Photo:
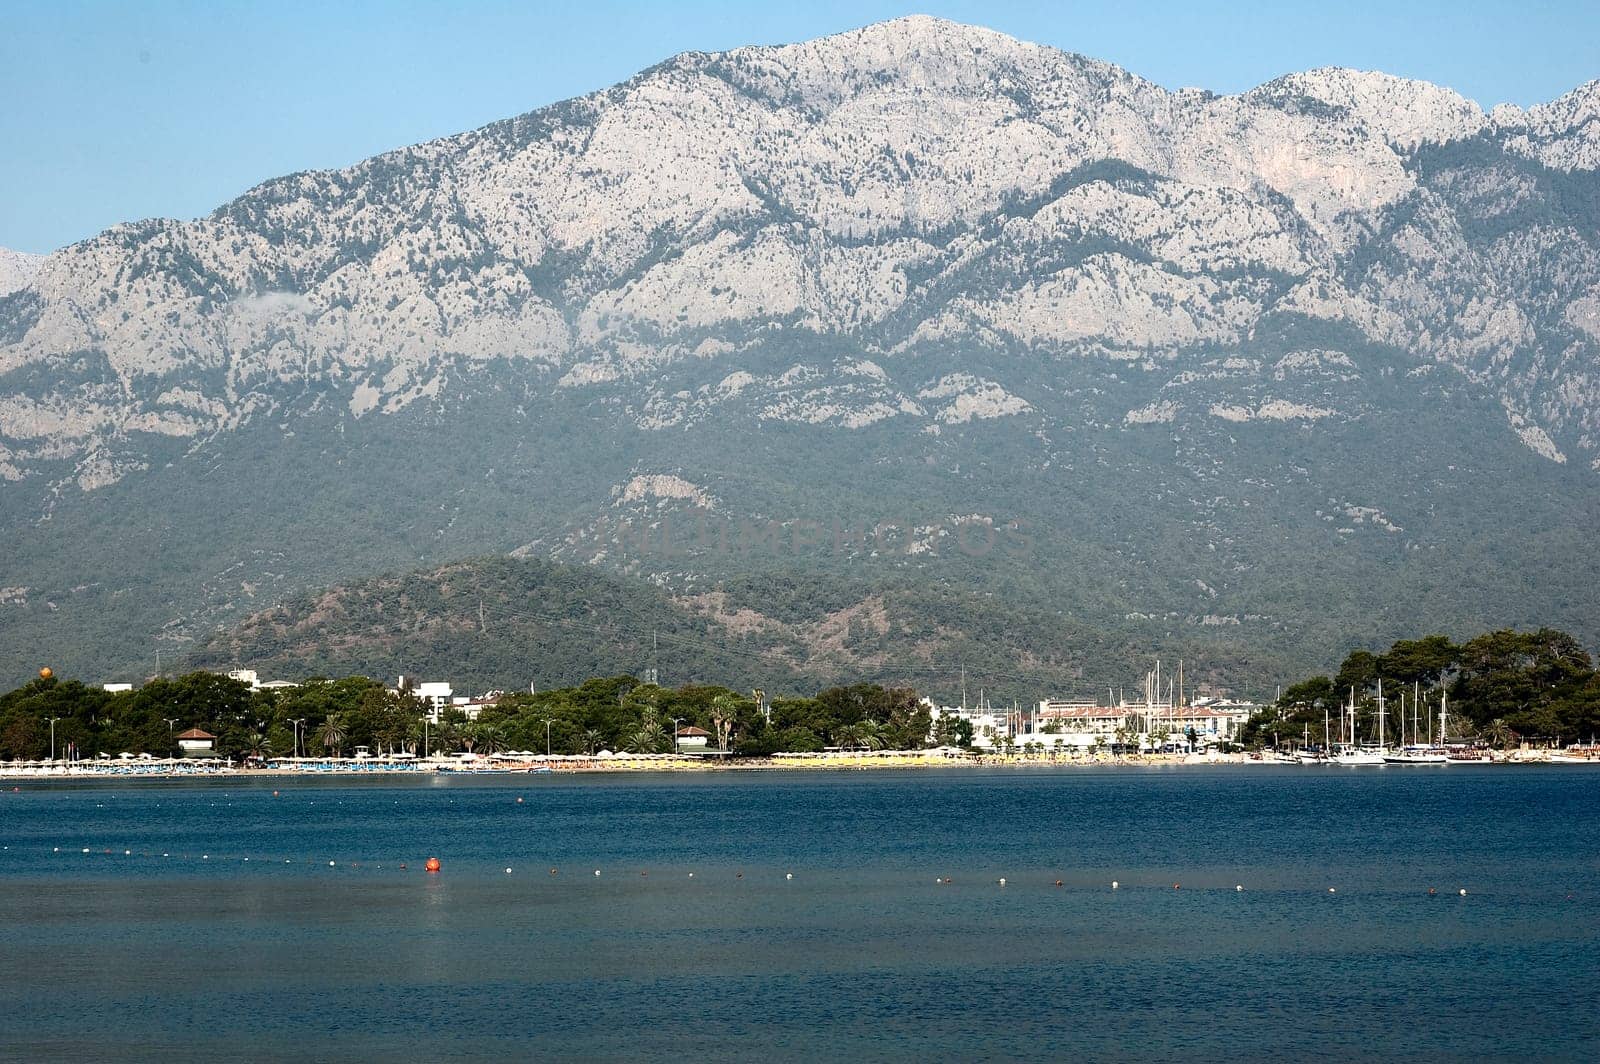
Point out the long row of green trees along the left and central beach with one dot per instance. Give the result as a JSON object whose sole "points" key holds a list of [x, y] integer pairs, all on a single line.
{"points": [[337, 716]]}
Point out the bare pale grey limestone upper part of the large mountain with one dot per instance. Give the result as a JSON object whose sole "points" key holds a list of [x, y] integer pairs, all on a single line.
{"points": [[911, 183]]}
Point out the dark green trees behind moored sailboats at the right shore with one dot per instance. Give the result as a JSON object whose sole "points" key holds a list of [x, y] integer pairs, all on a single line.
{"points": [[1503, 687]]}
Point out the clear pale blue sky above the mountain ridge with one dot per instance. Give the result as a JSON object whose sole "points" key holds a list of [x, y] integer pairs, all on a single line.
{"points": [[119, 111]]}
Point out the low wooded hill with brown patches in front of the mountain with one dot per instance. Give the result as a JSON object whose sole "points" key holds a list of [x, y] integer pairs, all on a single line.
{"points": [[494, 623]]}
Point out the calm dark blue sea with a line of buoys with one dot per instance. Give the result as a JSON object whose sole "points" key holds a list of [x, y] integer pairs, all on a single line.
{"points": [[206, 921]]}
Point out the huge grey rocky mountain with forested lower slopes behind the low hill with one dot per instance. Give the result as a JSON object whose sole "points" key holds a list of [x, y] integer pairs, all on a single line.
{"points": [[1292, 369]]}
